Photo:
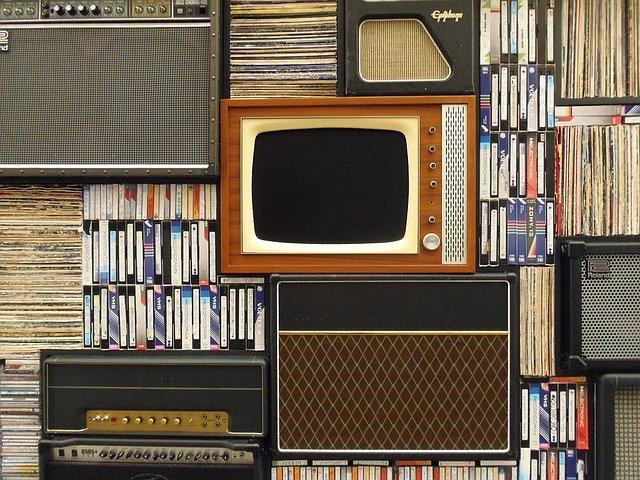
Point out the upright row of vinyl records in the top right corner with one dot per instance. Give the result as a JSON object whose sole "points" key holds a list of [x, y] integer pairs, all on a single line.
{"points": [[600, 46]]}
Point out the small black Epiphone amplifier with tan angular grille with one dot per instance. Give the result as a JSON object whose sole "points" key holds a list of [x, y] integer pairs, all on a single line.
{"points": [[410, 47]]}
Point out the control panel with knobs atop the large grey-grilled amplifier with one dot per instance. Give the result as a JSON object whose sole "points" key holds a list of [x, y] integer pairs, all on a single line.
{"points": [[91, 10]]}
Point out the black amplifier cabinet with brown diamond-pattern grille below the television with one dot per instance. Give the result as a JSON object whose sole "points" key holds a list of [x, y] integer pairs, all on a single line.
{"points": [[403, 366]]}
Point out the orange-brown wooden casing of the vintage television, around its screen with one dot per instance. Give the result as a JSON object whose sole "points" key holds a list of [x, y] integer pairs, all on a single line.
{"points": [[429, 111]]}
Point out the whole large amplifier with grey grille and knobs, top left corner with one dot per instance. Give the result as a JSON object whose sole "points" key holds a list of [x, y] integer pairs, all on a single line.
{"points": [[129, 87]]}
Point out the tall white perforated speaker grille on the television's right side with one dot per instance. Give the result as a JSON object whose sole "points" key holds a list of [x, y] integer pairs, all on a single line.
{"points": [[454, 184]]}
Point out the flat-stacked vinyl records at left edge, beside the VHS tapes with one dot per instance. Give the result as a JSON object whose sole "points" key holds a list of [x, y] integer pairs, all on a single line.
{"points": [[40, 271]]}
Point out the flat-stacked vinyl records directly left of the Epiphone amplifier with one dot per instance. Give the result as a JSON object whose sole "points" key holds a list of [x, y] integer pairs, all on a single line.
{"points": [[283, 48]]}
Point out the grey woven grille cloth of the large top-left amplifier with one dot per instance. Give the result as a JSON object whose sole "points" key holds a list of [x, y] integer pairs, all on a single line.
{"points": [[105, 96]]}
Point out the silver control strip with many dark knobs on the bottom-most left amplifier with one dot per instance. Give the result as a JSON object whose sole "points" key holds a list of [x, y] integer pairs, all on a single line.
{"points": [[151, 454]]}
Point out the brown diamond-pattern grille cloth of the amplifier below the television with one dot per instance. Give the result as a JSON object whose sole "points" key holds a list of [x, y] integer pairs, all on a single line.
{"points": [[393, 392]]}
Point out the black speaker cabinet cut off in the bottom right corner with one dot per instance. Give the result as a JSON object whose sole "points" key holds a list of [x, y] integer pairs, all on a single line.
{"points": [[618, 427]]}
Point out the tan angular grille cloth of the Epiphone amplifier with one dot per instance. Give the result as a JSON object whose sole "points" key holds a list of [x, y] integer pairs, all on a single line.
{"points": [[399, 50]]}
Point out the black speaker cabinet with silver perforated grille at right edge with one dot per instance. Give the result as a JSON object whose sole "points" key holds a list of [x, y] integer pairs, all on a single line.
{"points": [[600, 303]]}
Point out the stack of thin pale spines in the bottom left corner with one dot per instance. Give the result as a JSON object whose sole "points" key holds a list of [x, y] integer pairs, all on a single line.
{"points": [[19, 417]]}
